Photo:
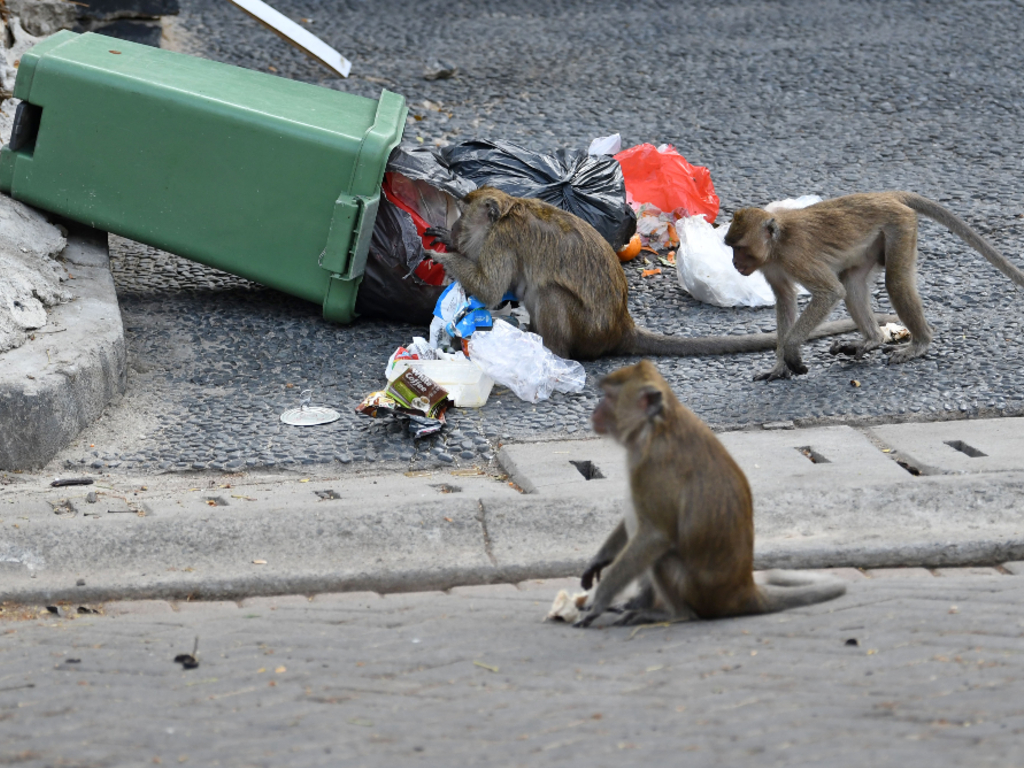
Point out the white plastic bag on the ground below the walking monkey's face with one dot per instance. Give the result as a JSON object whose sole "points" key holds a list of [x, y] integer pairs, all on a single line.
{"points": [[704, 264]]}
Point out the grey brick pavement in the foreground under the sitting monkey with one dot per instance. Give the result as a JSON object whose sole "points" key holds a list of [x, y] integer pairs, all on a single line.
{"points": [[933, 678]]}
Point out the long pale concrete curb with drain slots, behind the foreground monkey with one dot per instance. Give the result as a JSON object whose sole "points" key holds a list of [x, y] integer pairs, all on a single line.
{"points": [[163, 538]]}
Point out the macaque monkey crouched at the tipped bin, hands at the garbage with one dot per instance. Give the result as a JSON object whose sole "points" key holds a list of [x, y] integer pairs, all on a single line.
{"points": [[568, 277]]}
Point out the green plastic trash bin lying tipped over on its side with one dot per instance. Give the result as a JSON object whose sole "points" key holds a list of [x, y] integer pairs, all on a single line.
{"points": [[265, 178]]}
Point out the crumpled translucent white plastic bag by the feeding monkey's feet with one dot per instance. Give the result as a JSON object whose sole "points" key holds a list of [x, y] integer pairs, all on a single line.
{"points": [[521, 362]]}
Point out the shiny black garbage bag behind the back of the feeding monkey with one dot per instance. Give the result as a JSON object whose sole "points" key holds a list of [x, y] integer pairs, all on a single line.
{"points": [[590, 187]]}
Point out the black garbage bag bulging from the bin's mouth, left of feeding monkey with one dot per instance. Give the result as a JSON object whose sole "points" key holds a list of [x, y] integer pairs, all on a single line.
{"points": [[390, 289]]}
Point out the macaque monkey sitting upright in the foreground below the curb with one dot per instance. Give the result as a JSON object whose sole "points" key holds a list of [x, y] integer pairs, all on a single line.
{"points": [[690, 535]]}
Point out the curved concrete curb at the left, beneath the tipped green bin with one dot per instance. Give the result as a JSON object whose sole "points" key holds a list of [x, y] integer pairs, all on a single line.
{"points": [[54, 387]]}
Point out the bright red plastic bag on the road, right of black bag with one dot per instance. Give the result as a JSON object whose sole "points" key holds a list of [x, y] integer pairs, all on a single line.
{"points": [[667, 181]]}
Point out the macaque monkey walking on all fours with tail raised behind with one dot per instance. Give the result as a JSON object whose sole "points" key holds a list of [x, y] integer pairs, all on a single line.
{"points": [[833, 249]]}
